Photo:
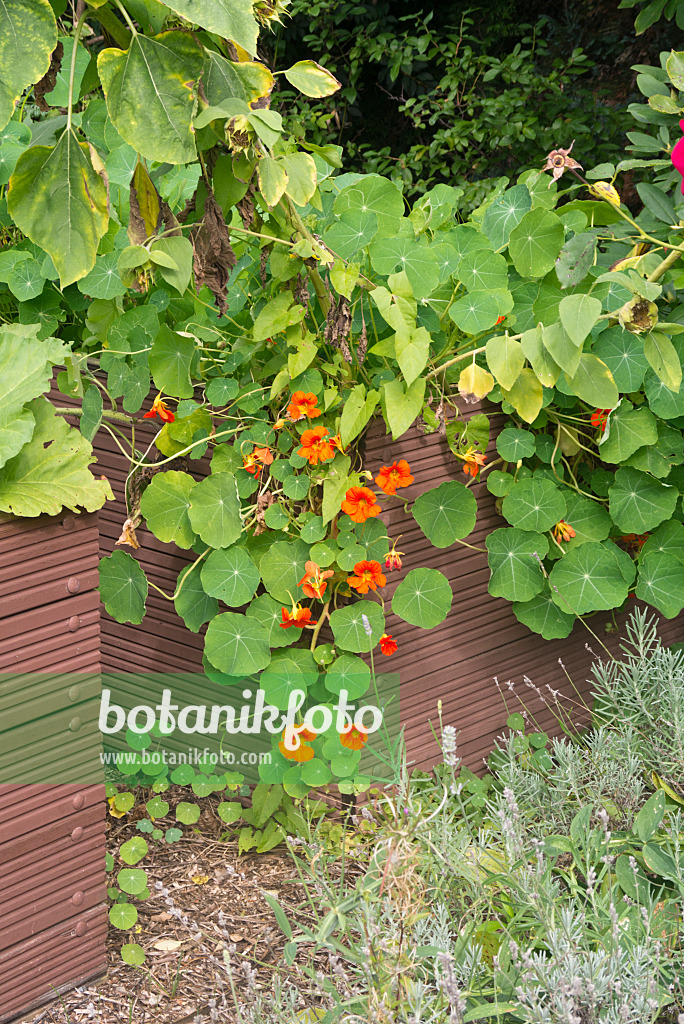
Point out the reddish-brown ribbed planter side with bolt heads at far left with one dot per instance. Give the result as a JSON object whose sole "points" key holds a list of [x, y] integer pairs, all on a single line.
{"points": [[53, 910]]}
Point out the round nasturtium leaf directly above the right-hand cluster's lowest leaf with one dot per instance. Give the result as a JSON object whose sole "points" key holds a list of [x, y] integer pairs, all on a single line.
{"points": [[515, 562]]}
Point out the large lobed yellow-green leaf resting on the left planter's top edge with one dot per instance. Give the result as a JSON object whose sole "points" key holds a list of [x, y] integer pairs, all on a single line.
{"points": [[51, 472]]}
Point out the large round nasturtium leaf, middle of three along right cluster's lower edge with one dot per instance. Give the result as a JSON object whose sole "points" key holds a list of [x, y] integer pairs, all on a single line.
{"points": [[588, 579]]}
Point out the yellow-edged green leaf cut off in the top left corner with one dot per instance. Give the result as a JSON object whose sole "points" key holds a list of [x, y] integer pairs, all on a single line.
{"points": [[28, 36]]}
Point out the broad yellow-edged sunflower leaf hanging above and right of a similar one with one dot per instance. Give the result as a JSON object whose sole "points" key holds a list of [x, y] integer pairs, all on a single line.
{"points": [[151, 91]]}
